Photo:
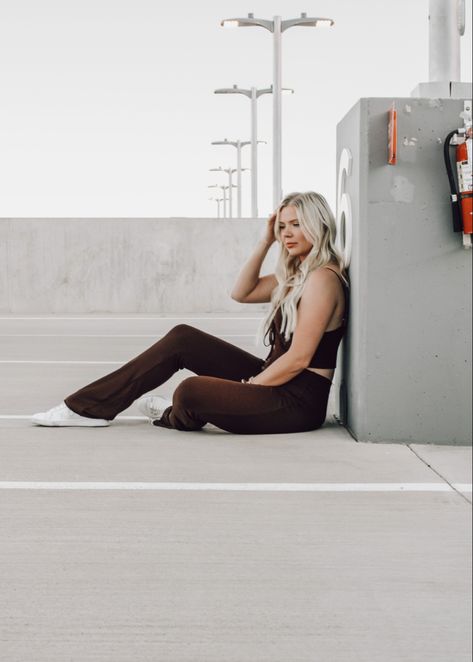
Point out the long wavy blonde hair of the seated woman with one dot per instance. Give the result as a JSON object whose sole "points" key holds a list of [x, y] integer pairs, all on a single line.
{"points": [[318, 226]]}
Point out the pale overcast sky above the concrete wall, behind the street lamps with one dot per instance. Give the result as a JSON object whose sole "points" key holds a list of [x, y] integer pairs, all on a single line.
{"points": [[107, 106]]}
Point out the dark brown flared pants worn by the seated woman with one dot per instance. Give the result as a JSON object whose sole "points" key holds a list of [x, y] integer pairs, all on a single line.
{"points": [[216, 395]]}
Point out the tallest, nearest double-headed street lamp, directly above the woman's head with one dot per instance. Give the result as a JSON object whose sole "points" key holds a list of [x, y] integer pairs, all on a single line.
{"points": [[277, 26]]}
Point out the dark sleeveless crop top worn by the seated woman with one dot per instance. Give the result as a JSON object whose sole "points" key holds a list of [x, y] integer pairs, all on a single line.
{"points": [[326, 353]]}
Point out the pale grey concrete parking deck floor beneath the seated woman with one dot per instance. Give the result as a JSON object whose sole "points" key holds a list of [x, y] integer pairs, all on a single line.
{"points": [[231, 556]]}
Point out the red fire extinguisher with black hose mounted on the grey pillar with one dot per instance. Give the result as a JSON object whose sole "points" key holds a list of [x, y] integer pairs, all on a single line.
{"points": [[461, 184]]}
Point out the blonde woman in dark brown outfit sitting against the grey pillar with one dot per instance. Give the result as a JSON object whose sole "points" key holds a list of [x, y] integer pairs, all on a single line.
{"points": [[233, 389]]}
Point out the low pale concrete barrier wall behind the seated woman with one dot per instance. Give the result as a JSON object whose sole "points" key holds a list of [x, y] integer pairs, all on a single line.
{"points": [[159, 265]]}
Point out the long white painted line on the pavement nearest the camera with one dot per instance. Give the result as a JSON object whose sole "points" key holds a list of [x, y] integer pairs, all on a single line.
{"points": [[238, 487]]}
